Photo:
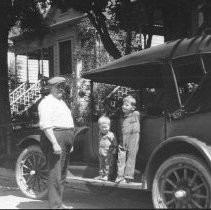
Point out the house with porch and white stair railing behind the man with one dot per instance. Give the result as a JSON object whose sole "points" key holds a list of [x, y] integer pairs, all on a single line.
{"points": [[38, 58]]}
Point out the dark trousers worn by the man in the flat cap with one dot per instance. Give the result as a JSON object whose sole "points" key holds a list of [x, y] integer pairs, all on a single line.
{"points": [[57, 165]]}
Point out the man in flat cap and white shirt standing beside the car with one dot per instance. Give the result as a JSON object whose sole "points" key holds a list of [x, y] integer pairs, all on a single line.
{"points": [[57, 125]]}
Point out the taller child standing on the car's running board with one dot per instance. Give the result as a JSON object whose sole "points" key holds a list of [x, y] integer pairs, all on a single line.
{"points": [[128, 131]]}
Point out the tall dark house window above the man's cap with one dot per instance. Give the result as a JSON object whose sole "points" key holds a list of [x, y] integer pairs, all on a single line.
{"points": [[65, 57]]}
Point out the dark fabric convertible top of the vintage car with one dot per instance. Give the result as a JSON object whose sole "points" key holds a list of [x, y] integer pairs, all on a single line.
{"points": [[143, 68]]}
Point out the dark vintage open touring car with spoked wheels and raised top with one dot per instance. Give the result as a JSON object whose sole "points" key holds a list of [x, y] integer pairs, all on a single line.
{"points": [[174, 158]]}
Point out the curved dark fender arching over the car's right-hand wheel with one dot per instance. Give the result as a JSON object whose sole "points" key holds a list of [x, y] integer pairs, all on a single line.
{"points": [[172, 146]]}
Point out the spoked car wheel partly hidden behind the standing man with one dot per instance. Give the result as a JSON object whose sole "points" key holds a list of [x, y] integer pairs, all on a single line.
{"points": [[31, 172]]}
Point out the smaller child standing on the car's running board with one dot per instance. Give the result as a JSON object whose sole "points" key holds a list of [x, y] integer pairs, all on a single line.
{"points": [[107, 148]]}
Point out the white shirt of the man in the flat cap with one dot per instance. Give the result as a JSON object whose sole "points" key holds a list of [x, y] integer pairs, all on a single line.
{"points": [[54, 113]]}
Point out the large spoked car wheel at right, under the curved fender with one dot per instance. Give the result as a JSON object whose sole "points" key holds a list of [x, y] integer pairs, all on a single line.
{"points": [[182, 181]]}
